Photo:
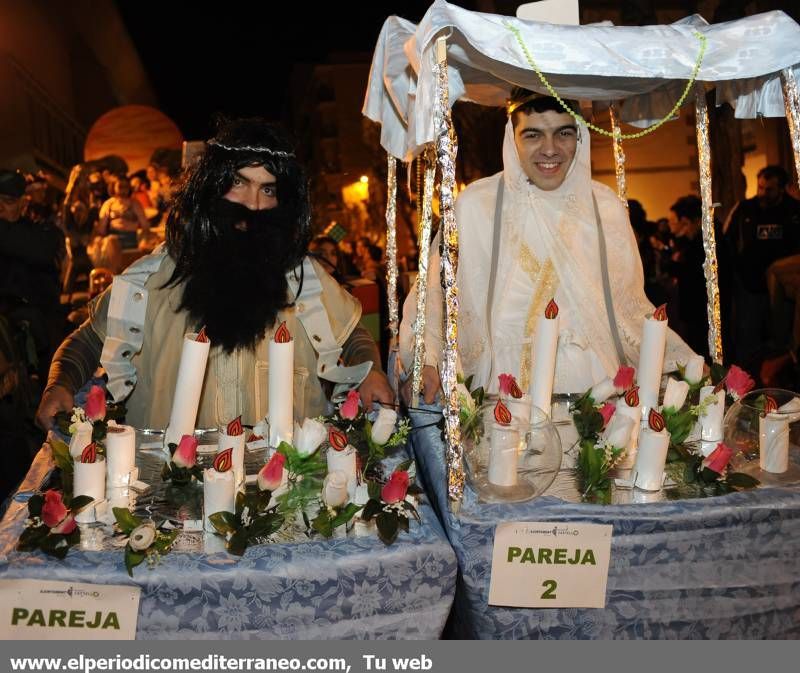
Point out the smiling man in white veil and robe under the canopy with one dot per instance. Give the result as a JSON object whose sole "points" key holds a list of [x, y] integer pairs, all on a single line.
{"points": [[540, 230]]}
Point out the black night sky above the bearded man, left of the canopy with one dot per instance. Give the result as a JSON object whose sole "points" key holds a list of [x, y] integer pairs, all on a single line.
{"points": [[236, 57]]}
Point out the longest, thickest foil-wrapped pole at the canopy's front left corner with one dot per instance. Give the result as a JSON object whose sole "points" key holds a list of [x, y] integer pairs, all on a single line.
{"points": [[446, 151]]}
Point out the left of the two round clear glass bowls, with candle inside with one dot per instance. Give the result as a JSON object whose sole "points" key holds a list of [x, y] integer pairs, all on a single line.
{"points": [[512, 461]]}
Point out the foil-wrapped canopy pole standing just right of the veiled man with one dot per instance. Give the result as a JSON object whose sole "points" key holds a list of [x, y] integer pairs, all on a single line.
{"points": [[709, 237]]}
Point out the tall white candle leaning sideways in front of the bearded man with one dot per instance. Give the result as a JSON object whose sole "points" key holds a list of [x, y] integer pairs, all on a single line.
{"points": [[188, 387]]}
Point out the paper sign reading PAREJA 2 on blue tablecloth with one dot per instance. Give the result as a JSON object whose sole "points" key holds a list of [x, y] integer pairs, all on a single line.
{"points": [[550, 565]]}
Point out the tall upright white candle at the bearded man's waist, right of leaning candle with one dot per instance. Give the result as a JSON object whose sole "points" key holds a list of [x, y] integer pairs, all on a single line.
{"points": [[281, 386]]}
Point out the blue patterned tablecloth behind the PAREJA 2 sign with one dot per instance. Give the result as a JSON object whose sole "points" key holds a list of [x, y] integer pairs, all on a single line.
{"points": [[724, 567]]}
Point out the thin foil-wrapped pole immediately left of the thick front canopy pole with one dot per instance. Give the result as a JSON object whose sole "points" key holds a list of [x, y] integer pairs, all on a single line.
{"points": [[428, 157]]}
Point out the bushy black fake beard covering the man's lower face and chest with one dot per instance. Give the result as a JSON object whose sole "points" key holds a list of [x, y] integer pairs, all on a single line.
{"points": [[238, 284]]}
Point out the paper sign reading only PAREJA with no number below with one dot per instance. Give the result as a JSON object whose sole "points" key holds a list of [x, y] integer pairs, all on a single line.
{"points": [[45, 610]]}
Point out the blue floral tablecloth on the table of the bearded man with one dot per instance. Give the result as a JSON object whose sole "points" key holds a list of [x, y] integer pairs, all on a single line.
{"points": [[352, 587]]}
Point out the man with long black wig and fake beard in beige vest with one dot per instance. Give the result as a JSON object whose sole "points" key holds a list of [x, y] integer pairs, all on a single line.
{"points": [[234, 263]]}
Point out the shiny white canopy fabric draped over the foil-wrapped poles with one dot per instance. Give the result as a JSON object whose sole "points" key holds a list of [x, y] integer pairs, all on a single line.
{"points": [[645, 66]]}
